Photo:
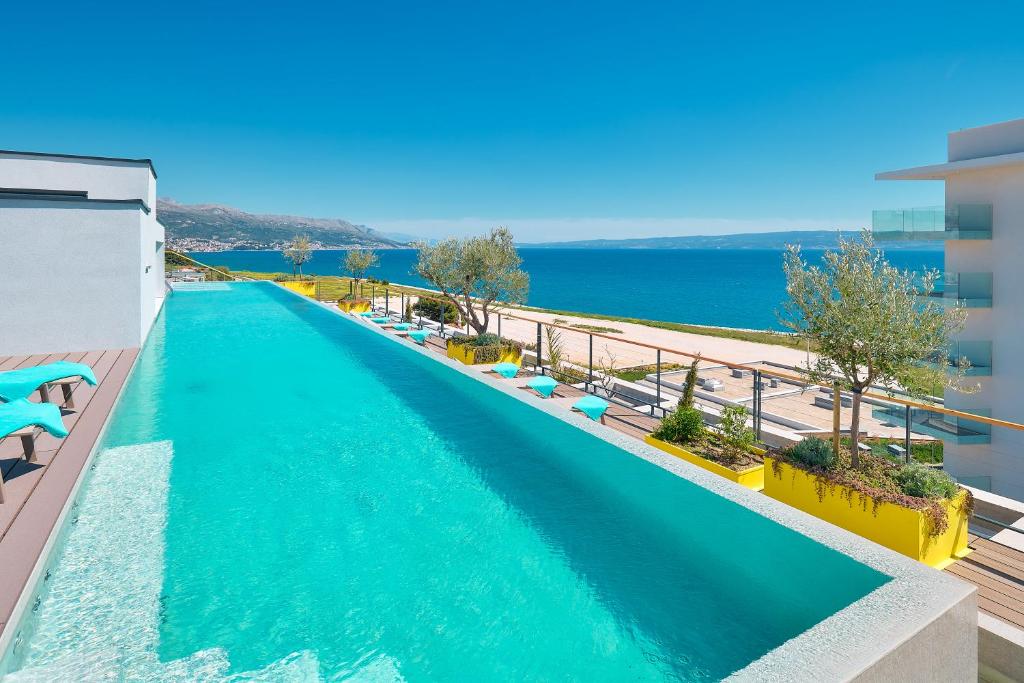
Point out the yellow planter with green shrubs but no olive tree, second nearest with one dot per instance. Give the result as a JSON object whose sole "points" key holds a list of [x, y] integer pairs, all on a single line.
{"points": [[729, 451]]}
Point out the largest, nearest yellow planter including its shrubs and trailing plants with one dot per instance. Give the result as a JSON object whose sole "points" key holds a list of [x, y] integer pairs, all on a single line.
{"points": [[913, 509]]}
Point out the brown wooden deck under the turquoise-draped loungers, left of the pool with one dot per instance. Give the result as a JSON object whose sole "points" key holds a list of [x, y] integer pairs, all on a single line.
{"points": [[36, 493]]}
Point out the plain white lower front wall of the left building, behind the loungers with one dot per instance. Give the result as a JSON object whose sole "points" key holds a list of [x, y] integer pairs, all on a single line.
{"points": [[70, 277]]}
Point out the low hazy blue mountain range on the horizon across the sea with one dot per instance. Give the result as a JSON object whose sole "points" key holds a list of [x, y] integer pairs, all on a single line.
{"points": [[806, 239]]}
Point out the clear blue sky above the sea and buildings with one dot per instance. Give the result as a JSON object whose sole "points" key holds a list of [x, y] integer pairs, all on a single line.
{"points": [[562, 120]]}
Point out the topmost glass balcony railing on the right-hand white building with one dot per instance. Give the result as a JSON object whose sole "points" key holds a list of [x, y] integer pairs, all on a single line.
{"points": [[961, 222]]}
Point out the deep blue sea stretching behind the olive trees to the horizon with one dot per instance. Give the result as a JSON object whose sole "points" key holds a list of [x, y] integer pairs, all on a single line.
{"points": [[735, 288]]}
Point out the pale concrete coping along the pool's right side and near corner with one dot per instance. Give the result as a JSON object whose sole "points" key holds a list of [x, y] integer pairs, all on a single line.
{"points": [[921, 625]]}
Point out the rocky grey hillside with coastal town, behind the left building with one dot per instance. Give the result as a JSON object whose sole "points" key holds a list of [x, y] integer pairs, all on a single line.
{"points": [[214, 228]]}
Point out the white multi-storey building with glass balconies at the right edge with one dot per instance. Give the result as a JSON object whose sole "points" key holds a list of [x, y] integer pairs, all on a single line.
{"points": [[982, 225]]}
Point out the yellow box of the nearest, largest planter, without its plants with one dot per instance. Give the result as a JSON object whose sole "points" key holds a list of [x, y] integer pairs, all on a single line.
{"points": [[894, 527]]}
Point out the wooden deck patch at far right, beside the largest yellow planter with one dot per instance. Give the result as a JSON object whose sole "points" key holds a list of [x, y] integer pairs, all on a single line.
{"points": [[999, 574]]}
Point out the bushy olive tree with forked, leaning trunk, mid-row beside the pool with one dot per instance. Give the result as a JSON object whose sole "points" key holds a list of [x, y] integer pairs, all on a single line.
{"points": [[475, 274]]}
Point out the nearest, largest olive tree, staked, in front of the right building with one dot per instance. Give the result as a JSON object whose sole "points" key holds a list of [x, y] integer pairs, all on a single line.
{"points": [[868, 324]]}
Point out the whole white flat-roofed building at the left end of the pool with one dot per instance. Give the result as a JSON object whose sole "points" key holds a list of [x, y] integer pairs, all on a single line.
{"points": [[81, 253]]}
